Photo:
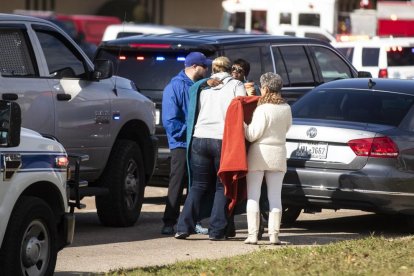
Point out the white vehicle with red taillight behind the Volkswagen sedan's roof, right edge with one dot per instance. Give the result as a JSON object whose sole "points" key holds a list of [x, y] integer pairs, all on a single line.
{"points": [[382, 57]]}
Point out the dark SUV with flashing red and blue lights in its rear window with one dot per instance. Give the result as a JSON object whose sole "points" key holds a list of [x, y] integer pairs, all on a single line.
{"points": [[152, 60]]}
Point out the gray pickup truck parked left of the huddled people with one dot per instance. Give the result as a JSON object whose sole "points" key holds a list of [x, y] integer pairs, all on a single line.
{"points": [[64, 95]]}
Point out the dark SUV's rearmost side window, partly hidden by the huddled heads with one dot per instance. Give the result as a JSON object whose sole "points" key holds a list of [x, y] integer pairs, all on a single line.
{"points": [[250, 54]]}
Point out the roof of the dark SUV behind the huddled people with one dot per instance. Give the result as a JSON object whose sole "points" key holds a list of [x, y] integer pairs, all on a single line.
{"points": [[206, 40]]}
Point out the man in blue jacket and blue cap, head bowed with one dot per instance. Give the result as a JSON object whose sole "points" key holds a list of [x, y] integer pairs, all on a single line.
{"points": [[174, 113]]}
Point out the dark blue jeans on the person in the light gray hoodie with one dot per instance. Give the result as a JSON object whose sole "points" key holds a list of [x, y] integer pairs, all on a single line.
{"points": [[205, 162]]}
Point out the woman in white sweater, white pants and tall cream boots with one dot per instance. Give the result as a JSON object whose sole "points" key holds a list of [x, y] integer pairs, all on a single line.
{"points": [[267, 155]]}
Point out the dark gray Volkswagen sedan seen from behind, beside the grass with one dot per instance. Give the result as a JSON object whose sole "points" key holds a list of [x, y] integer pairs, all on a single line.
{"points": [[351, 146]]}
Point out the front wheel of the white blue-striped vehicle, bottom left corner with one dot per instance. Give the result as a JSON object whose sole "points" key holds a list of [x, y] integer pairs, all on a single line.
{"points": [[29, 246]]}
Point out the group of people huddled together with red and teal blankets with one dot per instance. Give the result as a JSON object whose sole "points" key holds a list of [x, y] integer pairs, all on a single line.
{"points": [[213, 124]]}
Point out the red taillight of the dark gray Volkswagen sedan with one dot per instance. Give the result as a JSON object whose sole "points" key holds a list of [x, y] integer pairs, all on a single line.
{"points": [[381, 147]]}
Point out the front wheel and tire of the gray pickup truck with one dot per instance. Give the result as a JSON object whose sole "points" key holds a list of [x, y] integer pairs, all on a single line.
{"points": [[124, 176]]}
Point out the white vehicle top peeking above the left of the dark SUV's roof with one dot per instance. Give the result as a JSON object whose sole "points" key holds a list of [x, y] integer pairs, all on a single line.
{"points": [[122, 30]]}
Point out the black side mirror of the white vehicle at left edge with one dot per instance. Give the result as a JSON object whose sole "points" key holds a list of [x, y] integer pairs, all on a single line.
{"points": [[10, 124]]}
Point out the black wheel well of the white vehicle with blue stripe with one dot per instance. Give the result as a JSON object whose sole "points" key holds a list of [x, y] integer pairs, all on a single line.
{"points": [[50, 194]]}
